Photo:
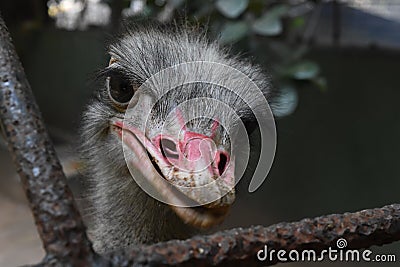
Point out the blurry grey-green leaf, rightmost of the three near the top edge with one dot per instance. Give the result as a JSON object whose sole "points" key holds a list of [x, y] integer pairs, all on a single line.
{"points": [[270, 23]]}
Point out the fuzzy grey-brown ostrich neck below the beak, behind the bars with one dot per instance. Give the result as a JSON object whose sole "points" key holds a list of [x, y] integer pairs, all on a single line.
{"points": [[127, 216]]}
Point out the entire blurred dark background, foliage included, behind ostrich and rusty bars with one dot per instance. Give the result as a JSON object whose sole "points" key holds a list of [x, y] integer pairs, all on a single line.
{"points": [[335, 64]]}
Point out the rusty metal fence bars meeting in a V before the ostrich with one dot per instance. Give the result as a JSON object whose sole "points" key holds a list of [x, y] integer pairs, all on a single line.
{"points": [[63, 233]]}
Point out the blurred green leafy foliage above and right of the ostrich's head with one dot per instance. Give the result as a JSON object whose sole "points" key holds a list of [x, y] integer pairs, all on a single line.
{"points": [[268, 30]]}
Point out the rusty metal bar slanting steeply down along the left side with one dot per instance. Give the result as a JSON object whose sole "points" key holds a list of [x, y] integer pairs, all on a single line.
{"points": [[57, 218]]}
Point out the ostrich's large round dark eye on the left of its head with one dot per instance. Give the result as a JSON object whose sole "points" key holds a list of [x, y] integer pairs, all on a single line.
{"points": [[120, 90]]}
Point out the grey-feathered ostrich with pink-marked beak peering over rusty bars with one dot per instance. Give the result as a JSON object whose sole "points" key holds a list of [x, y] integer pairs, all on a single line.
{"points": [[120, 213]]}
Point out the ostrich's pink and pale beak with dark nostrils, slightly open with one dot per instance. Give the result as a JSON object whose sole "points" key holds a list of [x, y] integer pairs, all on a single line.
{"points": [[199, 191]]}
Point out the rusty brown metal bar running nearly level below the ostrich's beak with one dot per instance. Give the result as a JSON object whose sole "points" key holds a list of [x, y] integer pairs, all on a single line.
{"points": [[239, 247]]}
